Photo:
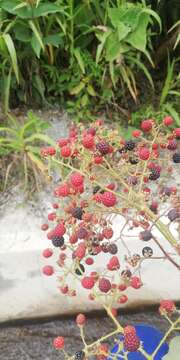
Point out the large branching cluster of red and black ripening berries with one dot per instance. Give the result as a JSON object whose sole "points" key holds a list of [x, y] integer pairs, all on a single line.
{"points": [[105, 177]]}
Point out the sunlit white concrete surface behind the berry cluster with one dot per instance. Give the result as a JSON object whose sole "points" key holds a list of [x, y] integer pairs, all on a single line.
{"points": [[26, 293]]}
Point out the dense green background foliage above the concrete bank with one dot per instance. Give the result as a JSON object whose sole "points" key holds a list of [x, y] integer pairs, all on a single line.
{"points": [[82, 54]]}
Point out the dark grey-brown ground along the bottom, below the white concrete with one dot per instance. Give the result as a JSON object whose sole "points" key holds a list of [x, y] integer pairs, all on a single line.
{"points": [[34, 341]]}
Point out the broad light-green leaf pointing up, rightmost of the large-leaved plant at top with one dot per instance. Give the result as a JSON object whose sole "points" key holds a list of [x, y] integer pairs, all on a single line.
{"points": [[138, 38]]}
